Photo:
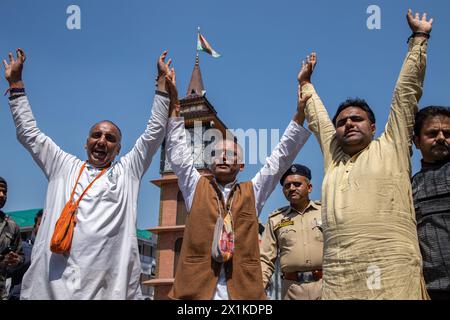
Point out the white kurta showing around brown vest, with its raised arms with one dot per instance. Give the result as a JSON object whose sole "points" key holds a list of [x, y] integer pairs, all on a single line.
{"points": [[264, 182]]}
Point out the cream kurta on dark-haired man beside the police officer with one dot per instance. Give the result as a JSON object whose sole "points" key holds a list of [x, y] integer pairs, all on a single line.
{"points": [[371, 248]]}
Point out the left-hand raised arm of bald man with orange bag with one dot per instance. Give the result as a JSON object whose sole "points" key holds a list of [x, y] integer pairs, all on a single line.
{"points": [[44, 151]]}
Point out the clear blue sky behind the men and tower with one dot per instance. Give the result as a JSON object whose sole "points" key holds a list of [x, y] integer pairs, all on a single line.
{"points": [[106, 70]]}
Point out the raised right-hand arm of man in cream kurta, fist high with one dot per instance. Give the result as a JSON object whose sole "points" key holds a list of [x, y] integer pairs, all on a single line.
{"points": [[408, 89]]}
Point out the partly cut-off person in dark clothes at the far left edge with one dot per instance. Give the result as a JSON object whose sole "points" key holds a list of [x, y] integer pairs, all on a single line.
{"points": [[11, 255]]}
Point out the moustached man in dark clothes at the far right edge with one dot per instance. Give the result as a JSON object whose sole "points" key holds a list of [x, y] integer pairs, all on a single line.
{"points": [[431, 194]]}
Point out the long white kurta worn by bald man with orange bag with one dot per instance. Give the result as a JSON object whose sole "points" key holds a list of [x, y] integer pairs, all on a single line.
{"points": [[104, 260]]}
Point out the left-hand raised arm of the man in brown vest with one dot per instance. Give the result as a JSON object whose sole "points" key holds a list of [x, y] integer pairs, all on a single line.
{"points": [[178, 152]]}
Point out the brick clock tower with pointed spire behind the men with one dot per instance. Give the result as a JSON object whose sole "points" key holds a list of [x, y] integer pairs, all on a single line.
{"points": [[195, 107]]}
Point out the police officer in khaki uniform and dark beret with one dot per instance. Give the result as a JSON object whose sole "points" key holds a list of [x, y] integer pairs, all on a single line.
{"points": [[295, 233]]}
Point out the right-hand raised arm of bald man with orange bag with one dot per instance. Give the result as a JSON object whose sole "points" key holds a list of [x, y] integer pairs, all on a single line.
{"points": [[140, 157]]}
